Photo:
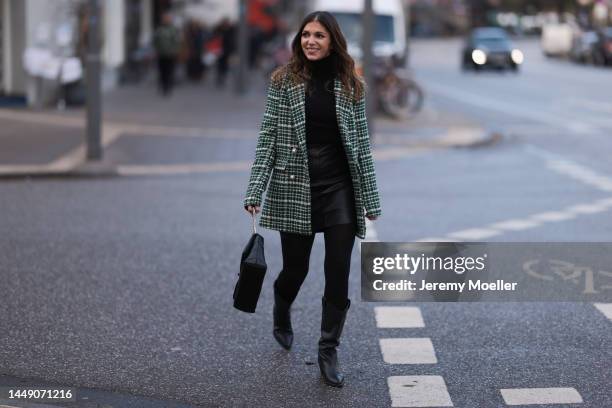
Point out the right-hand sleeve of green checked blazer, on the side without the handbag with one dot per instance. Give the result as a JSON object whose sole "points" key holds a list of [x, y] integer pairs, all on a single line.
{"points": [[369, 189]]}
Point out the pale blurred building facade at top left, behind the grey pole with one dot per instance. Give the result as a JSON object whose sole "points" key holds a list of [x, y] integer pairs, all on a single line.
{"points": [[58, 30]]}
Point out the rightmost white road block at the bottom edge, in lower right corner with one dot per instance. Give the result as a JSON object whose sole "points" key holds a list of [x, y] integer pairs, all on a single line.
{"points": [[531, 396]]}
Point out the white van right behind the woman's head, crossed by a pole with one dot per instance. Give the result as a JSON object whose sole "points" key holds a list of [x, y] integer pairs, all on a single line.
{"points": [[389, 26]]}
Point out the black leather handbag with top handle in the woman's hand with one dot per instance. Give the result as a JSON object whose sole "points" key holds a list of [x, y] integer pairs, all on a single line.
{"points": [[252, 272]]}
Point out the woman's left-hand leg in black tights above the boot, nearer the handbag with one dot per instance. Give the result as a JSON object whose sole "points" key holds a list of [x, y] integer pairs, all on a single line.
{"points": [[296, 256]]}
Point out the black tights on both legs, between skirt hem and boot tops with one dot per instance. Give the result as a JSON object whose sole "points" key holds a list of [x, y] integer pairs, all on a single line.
{"points": [[339, 240]]}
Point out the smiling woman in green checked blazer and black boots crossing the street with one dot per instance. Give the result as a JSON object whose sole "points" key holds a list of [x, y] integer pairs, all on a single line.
{"points": [[314, 145]]}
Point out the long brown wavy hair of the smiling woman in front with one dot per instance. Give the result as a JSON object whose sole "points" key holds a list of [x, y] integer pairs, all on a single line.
{"points": [[296, 70]]}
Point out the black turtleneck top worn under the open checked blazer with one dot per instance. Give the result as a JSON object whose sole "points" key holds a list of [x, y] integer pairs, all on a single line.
{"points": [[327, 163]]}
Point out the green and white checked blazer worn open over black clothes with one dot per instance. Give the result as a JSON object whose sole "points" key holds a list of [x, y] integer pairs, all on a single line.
{"points": [[281, 157]]}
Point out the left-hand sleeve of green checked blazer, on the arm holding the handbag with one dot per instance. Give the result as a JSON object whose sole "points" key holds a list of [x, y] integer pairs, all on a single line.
{"points": [[265, 151]]}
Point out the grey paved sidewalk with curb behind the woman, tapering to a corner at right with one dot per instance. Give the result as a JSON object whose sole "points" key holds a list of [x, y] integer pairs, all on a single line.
{"points": [[144, 133]]}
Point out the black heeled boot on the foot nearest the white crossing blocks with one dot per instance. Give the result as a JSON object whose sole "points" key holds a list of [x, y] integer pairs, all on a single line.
{"points": [[332, 323]]}
